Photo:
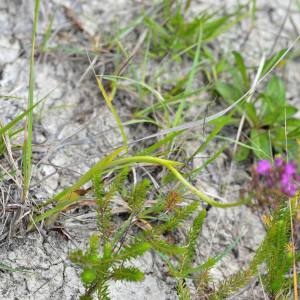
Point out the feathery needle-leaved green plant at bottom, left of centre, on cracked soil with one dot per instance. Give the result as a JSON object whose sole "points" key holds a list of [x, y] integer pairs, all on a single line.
{"points": [[118, 246]]}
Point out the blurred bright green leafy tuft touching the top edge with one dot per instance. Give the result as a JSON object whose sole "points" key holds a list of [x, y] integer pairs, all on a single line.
{"points": [[171, 33]]}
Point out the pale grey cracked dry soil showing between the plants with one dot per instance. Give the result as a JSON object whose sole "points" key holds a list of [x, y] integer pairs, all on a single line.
{"points": [[73, 129]]}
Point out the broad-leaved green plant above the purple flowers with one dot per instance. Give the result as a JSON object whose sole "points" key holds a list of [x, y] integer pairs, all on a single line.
{"points": [[270, 124]]}
